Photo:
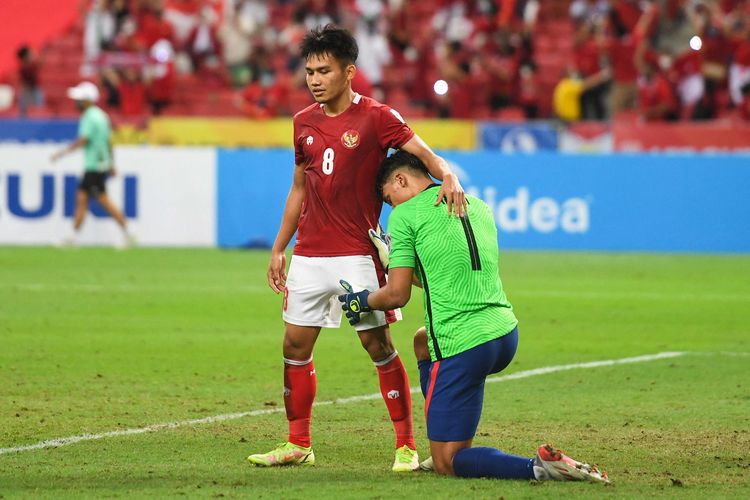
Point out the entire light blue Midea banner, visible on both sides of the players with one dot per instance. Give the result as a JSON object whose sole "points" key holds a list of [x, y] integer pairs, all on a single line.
{"points": [[690, 203]]}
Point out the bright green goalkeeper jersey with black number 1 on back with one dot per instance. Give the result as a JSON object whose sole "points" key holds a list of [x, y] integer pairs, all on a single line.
{"points": [[456, 259]]}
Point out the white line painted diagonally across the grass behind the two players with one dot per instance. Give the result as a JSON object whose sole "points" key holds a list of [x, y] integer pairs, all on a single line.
{"points": [[54, 443]]}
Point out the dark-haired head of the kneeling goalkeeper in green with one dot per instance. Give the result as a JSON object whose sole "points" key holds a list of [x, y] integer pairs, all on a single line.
{"points": [[401, 177]]}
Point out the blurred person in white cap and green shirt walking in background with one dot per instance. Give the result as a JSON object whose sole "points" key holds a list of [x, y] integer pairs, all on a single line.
{"points": [[95, 137]]}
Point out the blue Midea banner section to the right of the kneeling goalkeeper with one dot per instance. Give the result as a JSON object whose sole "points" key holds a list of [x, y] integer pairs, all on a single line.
{"points": [[614, 202]]}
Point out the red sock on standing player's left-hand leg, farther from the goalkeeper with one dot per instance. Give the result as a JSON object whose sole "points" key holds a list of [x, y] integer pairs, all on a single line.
{"points": [[300, 383]]}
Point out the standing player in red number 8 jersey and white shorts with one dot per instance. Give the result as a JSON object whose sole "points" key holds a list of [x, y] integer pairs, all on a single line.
{"points": [[339, 143]]}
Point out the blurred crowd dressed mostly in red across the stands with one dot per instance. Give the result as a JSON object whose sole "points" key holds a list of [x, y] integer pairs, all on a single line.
{"points": [[480, 59]]}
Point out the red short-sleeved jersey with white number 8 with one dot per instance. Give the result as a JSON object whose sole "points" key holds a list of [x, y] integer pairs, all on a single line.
{"points": [[341, 156]]}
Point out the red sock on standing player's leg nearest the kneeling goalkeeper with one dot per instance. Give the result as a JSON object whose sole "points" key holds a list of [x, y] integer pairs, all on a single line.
{"points": [[394, 386]]}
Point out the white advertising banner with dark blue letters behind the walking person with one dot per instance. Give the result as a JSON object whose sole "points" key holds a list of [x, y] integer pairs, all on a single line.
{"points": [[168, 196]]}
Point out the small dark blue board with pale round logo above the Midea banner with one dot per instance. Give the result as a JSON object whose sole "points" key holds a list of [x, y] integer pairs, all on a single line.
{"points": [[518, 137]]}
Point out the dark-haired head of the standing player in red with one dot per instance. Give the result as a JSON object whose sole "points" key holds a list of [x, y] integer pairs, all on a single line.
{"points": [[329, 53]]}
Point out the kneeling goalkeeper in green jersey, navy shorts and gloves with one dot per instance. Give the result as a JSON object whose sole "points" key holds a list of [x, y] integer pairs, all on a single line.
{"points": [[471, 331]]}
